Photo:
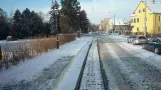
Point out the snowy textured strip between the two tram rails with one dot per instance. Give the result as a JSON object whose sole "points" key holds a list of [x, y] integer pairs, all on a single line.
{"points": [[92, 78]]}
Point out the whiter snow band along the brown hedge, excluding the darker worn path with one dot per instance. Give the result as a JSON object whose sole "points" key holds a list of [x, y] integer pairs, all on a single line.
{"points": [[30, 69]]}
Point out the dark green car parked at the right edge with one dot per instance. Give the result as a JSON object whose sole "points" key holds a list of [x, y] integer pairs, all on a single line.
{"points": [[153, 44]]}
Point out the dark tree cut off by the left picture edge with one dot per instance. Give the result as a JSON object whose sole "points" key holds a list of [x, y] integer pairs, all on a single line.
{"points": [[4, 27]]}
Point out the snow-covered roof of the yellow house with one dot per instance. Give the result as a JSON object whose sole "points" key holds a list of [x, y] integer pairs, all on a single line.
{"points": [[154, 7]]}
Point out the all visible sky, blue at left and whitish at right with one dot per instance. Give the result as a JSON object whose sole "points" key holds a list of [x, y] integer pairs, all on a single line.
{"points": [[96, 9]]}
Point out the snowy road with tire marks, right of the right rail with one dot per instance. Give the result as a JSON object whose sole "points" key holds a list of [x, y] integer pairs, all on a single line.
{"points": [[129, 67]]}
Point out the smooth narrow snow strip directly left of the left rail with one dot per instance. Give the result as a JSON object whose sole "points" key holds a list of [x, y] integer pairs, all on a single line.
{"points": [[69, 80]]}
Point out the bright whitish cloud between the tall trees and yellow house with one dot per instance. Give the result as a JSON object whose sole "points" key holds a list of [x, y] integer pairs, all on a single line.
{"points": [[99, 9]]}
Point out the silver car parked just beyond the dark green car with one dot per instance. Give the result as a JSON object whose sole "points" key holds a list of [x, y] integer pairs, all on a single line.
{"points": [[137, 40]]}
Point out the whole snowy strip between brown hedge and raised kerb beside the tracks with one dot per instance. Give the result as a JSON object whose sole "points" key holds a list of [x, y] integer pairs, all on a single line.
{"points": [[41, 72]]}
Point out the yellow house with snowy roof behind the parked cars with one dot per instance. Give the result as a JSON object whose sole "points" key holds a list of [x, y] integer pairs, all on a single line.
{"points": [[153, 20]]}
